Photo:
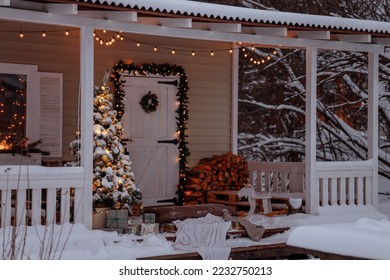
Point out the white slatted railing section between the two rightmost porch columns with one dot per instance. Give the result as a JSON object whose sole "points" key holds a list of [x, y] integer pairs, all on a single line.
{"points": [[344, 183]]}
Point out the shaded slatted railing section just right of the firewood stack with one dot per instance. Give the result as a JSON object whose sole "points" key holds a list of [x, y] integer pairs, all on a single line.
{"points": [[277, 176]]}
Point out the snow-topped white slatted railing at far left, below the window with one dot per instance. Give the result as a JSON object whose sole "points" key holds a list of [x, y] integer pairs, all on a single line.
{"points": [[41, 195]]}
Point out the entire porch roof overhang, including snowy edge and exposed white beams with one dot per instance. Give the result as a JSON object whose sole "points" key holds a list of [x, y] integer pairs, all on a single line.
{"points": [[192, 19]]}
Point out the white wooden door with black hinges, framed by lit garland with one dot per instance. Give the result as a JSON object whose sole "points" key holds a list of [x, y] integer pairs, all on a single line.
{"points": [[155, 164]]}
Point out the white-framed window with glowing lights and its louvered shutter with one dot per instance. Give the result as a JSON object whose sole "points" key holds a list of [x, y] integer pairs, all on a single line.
{"points": [[30, 108]]}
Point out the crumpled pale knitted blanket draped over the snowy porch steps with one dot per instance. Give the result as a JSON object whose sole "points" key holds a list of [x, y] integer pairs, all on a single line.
{"points": [[206, 235]]}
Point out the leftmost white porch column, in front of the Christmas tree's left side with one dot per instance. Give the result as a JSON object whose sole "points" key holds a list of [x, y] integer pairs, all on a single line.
{"points": [[86, 86]]}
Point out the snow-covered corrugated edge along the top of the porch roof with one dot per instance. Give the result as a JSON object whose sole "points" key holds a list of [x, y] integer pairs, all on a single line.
{"points": [[208, 11]]}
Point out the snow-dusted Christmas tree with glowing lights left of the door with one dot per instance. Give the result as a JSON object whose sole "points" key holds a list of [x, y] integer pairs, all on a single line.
{"points": [[113, 180]]}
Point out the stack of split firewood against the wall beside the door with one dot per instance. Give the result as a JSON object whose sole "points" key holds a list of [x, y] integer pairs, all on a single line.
{"points": [[218, 173]]}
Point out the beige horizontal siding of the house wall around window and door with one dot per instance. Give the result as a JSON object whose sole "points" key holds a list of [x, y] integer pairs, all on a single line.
{"points": [[209, 77]]}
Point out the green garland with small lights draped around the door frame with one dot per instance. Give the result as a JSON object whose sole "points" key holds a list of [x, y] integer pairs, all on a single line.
{"points": [[181, 112]]}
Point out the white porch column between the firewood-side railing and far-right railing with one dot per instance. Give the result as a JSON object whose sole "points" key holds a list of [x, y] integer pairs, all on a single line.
{"points": [[311, 191]]}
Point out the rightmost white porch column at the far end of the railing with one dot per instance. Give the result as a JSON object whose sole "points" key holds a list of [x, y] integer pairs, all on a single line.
{"points": [[373, 80]]}
